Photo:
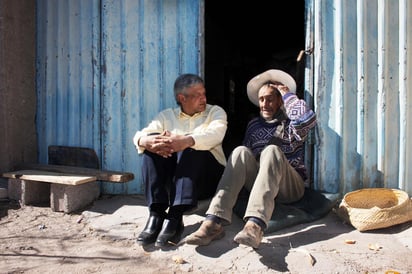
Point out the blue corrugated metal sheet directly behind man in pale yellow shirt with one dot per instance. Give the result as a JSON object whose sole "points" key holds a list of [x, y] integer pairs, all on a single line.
{"points": [[145, 46]]}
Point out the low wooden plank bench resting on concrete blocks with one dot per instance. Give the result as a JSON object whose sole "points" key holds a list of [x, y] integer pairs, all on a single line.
{"points": [[66, 188]]}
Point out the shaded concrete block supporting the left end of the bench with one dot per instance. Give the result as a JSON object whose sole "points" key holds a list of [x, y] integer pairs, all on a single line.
{"points": [[29, 192]]}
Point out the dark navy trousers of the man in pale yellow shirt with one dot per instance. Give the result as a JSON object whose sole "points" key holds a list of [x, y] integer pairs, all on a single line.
{"points": [[180, 180]]}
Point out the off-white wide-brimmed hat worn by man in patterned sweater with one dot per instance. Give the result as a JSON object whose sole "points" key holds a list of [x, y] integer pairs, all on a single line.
{"points": [[272, 75]]}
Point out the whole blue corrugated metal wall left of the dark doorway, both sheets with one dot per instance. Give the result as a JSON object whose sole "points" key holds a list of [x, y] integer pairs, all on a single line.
{"points": [[105, 68]]}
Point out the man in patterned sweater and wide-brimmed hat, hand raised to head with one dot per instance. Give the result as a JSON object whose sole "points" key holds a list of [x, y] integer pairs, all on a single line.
{"points": [[269, 163]]}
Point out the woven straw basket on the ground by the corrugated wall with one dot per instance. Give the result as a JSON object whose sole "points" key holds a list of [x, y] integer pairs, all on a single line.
{"points": [[373, 208]]}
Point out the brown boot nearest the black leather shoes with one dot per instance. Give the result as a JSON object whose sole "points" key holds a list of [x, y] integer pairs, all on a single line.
{"points": [[206, 233]]}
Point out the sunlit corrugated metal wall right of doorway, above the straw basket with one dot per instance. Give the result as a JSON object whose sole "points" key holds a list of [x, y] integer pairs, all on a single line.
{"points": [[362, 86]]}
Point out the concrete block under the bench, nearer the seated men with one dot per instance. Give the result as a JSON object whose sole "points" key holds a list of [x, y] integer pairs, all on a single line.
{"points": [[69, 198]]}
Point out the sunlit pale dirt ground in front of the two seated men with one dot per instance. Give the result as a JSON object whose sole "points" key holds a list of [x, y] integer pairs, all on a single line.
{"points": [[101, 239]]}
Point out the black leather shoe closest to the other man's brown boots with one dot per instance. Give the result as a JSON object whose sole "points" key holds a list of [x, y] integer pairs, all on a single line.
{"points": [[171, 233]]}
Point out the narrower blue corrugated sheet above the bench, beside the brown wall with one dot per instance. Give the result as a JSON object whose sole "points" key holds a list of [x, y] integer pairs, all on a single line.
{"points": [[68, 74]]}
